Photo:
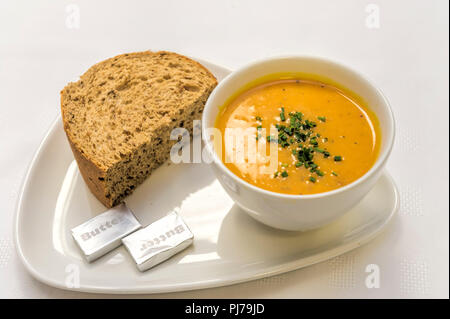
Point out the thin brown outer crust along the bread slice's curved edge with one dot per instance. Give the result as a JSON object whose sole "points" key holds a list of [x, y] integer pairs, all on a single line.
{"points": [[93, 173]]}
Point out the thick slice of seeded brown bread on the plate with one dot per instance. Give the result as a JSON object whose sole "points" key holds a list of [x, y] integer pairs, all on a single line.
{"points": [[119, 115]]}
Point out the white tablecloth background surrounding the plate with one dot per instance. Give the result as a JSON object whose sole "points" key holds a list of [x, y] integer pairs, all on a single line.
{"points": [[407, 57]]}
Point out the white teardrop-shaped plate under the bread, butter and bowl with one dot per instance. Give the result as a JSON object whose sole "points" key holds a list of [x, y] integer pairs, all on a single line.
{"points": [[229, 247]]}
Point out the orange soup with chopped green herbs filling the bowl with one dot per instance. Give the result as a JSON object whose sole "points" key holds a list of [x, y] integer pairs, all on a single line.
{"points": [[324, 138]]}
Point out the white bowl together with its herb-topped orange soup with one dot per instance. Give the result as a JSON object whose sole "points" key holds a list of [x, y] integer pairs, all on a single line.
{"points": [[297, 141]]}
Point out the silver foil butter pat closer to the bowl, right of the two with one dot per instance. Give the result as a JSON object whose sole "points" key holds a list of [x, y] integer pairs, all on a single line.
{"points": [[158, 241]]}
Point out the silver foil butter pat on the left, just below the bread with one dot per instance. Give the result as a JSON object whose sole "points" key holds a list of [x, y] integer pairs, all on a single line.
{"points": [[104, 232]]}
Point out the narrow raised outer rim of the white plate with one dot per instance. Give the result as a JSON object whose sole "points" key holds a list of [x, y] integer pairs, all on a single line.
{"points": [[231, 280]]}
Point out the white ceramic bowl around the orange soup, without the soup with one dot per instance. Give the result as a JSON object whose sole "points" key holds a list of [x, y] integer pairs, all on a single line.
{"points": [[299, 212]]}
